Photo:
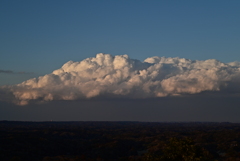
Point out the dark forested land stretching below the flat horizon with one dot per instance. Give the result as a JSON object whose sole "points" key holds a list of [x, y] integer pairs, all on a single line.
{"points": [[119, 141]]}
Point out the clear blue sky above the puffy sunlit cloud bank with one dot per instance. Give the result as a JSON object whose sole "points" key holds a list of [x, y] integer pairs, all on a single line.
{"points": [[40, 36]]}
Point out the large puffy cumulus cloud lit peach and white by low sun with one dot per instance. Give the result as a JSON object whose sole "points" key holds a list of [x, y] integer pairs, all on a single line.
{"points": [[120, 76]]}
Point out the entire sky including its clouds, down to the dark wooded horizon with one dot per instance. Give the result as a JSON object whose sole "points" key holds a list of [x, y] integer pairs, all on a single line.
{"points": [[39, 37]]}
